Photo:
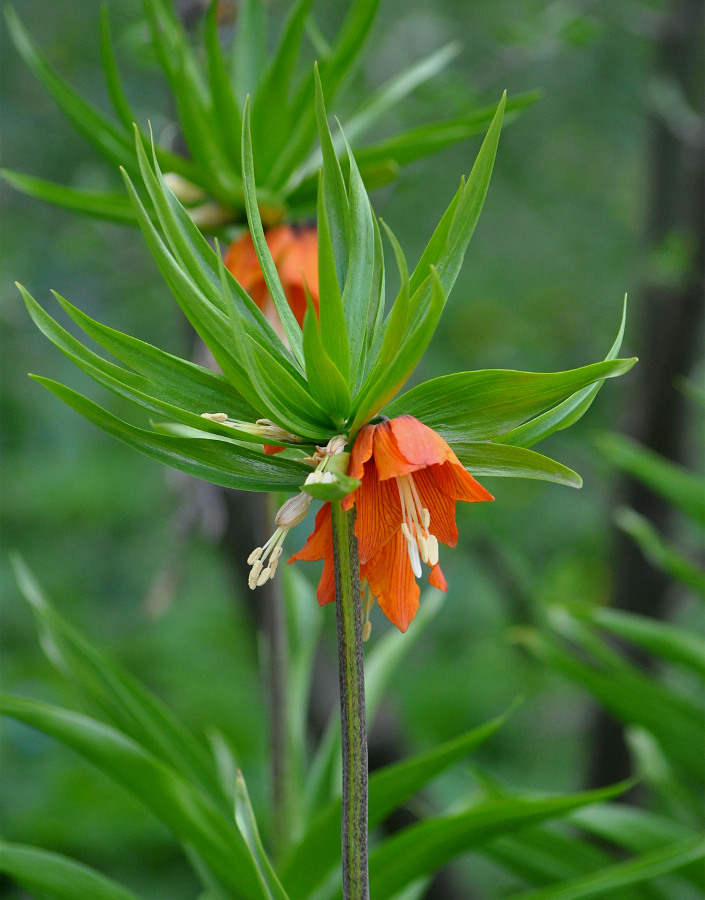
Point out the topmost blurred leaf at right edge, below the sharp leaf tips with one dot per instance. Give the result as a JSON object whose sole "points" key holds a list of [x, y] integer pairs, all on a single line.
{"points": [[678, 486]]}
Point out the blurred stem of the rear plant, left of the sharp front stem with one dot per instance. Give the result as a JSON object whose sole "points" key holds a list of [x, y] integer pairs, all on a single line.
{"points": [[275, 628]]}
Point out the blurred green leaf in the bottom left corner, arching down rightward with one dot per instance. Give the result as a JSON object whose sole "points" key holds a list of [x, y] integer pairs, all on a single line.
{"points": [[55, 877]]}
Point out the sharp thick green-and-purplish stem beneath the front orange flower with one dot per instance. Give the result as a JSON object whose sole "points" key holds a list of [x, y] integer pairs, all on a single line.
{"points": [[352, 705]]}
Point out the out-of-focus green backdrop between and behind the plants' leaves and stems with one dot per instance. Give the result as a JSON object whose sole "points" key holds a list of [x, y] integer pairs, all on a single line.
{"points": [[133, 553]]}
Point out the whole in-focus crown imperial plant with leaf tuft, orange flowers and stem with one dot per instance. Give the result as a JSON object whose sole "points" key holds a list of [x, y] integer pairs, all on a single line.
{"points": [[313, 406]]}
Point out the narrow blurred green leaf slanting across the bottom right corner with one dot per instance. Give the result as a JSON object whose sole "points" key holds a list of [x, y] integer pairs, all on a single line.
{"points": [[639, 870]]}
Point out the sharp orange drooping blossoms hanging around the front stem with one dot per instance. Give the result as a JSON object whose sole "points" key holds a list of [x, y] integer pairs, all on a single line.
{"points": [[411, 480]]}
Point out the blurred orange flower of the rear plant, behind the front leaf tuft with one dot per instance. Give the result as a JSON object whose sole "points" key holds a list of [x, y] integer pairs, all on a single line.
{"points": [[295, 254]]}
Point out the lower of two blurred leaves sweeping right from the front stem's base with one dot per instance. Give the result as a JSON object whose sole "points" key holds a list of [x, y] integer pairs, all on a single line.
{"points": [[425, 847]]}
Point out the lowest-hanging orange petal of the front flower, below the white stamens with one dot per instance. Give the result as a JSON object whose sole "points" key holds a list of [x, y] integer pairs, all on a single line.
{"points": [[392, 582]]}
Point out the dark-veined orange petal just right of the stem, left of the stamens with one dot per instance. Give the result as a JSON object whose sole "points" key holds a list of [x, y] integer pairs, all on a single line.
{"points": [[378, 511]]}
